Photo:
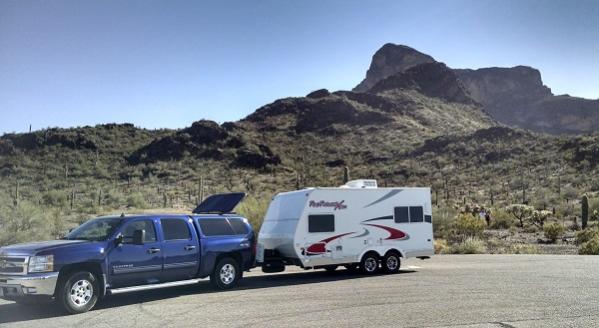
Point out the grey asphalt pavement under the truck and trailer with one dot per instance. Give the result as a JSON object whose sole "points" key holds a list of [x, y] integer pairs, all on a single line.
{"points": [[445, 291]]}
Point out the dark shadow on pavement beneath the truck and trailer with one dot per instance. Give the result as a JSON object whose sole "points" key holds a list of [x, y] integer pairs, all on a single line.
{"points": [[13, 312]]}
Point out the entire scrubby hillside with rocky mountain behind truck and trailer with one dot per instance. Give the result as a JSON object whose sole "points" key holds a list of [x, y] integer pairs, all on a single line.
{"points": [[413, 121]]}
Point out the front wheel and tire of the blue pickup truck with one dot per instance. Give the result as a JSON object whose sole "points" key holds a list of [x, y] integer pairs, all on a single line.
{"points": [[78, 292]]}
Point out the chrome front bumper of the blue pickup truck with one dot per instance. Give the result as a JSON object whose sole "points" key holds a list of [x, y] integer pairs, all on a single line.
{"points": [[31, 284]]}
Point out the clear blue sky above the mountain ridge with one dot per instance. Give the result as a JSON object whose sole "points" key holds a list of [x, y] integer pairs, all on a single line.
{"points": [[169, 63]]}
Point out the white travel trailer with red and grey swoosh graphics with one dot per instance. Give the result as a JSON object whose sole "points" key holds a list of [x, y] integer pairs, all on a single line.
{"points": [[357, 225]]}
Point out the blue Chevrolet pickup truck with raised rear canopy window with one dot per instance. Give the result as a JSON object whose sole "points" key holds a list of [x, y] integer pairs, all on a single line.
{"points": [[117, 254]]}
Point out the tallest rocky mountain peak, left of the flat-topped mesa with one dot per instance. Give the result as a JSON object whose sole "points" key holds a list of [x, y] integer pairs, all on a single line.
{"points": [[389, 60]]}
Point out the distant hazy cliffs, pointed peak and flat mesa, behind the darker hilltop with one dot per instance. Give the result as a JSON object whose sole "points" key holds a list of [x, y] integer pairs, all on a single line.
{"points": [[514, 96]]}
